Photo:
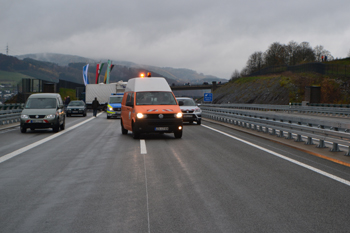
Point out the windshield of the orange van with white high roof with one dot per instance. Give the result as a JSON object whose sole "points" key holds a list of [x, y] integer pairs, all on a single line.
{"points": [[155, 98]]}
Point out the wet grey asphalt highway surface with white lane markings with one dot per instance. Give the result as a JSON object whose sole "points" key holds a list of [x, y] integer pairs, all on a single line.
{"points": [[91, 178]]}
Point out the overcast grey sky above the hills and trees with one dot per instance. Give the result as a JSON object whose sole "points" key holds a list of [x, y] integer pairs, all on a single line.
{"points": [[213, 37]]}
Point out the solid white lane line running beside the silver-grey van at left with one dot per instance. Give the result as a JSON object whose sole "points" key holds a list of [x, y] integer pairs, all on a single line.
{"points": [[30, 146]]}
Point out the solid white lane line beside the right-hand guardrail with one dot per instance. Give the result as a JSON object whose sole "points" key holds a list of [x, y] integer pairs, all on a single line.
{"points": [[336, 178]]}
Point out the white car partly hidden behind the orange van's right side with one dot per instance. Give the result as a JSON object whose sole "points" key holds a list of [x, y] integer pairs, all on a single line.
{"points": [[190, 110]]}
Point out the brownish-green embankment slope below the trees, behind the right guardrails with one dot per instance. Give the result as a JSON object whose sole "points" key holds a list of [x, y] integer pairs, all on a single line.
{"points": [[285, 87]]}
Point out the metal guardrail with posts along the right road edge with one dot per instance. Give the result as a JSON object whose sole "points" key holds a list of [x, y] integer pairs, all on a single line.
{"points": [[325, 129]]}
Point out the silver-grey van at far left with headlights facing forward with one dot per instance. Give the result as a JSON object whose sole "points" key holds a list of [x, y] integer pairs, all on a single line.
{"points": [[44, 110]]}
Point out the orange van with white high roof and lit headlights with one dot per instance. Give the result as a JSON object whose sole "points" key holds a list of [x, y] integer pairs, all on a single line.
{"points": [[149, 106]]}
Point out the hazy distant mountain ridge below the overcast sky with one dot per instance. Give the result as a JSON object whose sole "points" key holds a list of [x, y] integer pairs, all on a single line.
{"points": [[180, 75]]}
